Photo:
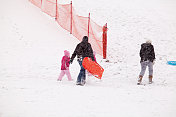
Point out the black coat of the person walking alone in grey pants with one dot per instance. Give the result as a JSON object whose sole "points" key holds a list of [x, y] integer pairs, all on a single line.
{"points": [[147, 52]]}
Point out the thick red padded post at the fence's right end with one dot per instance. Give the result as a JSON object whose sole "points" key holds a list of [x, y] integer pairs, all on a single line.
{"points": [[104, 41]]}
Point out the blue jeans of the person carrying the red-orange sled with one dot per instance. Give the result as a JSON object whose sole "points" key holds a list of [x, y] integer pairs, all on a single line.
{"points": [[82, 75]]}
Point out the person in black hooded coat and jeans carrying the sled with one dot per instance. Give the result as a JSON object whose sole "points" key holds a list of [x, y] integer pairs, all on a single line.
{"points": [[82, 50]]}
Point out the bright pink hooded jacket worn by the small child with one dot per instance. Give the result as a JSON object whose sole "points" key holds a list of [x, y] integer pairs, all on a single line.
{"points": [[65, 61]]}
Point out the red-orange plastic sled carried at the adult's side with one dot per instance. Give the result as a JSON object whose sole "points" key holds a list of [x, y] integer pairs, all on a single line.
{"points": [[93, 67]]}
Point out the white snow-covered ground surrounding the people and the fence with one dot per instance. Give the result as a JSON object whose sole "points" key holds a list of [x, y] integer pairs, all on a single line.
{"points": [[32, 45]]}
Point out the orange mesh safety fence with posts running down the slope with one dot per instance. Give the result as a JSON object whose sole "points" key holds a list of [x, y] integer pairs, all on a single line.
{"points": [[78, 26]]}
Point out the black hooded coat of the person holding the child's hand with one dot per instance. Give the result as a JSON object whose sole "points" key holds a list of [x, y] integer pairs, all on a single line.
{"points": [[83, 49]]}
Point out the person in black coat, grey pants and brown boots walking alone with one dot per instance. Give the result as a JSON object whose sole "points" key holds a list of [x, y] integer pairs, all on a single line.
{"points": [[147, 55]]}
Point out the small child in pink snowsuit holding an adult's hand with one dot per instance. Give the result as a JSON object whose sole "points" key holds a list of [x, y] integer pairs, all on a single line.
{"points": [[65, 66]]}
